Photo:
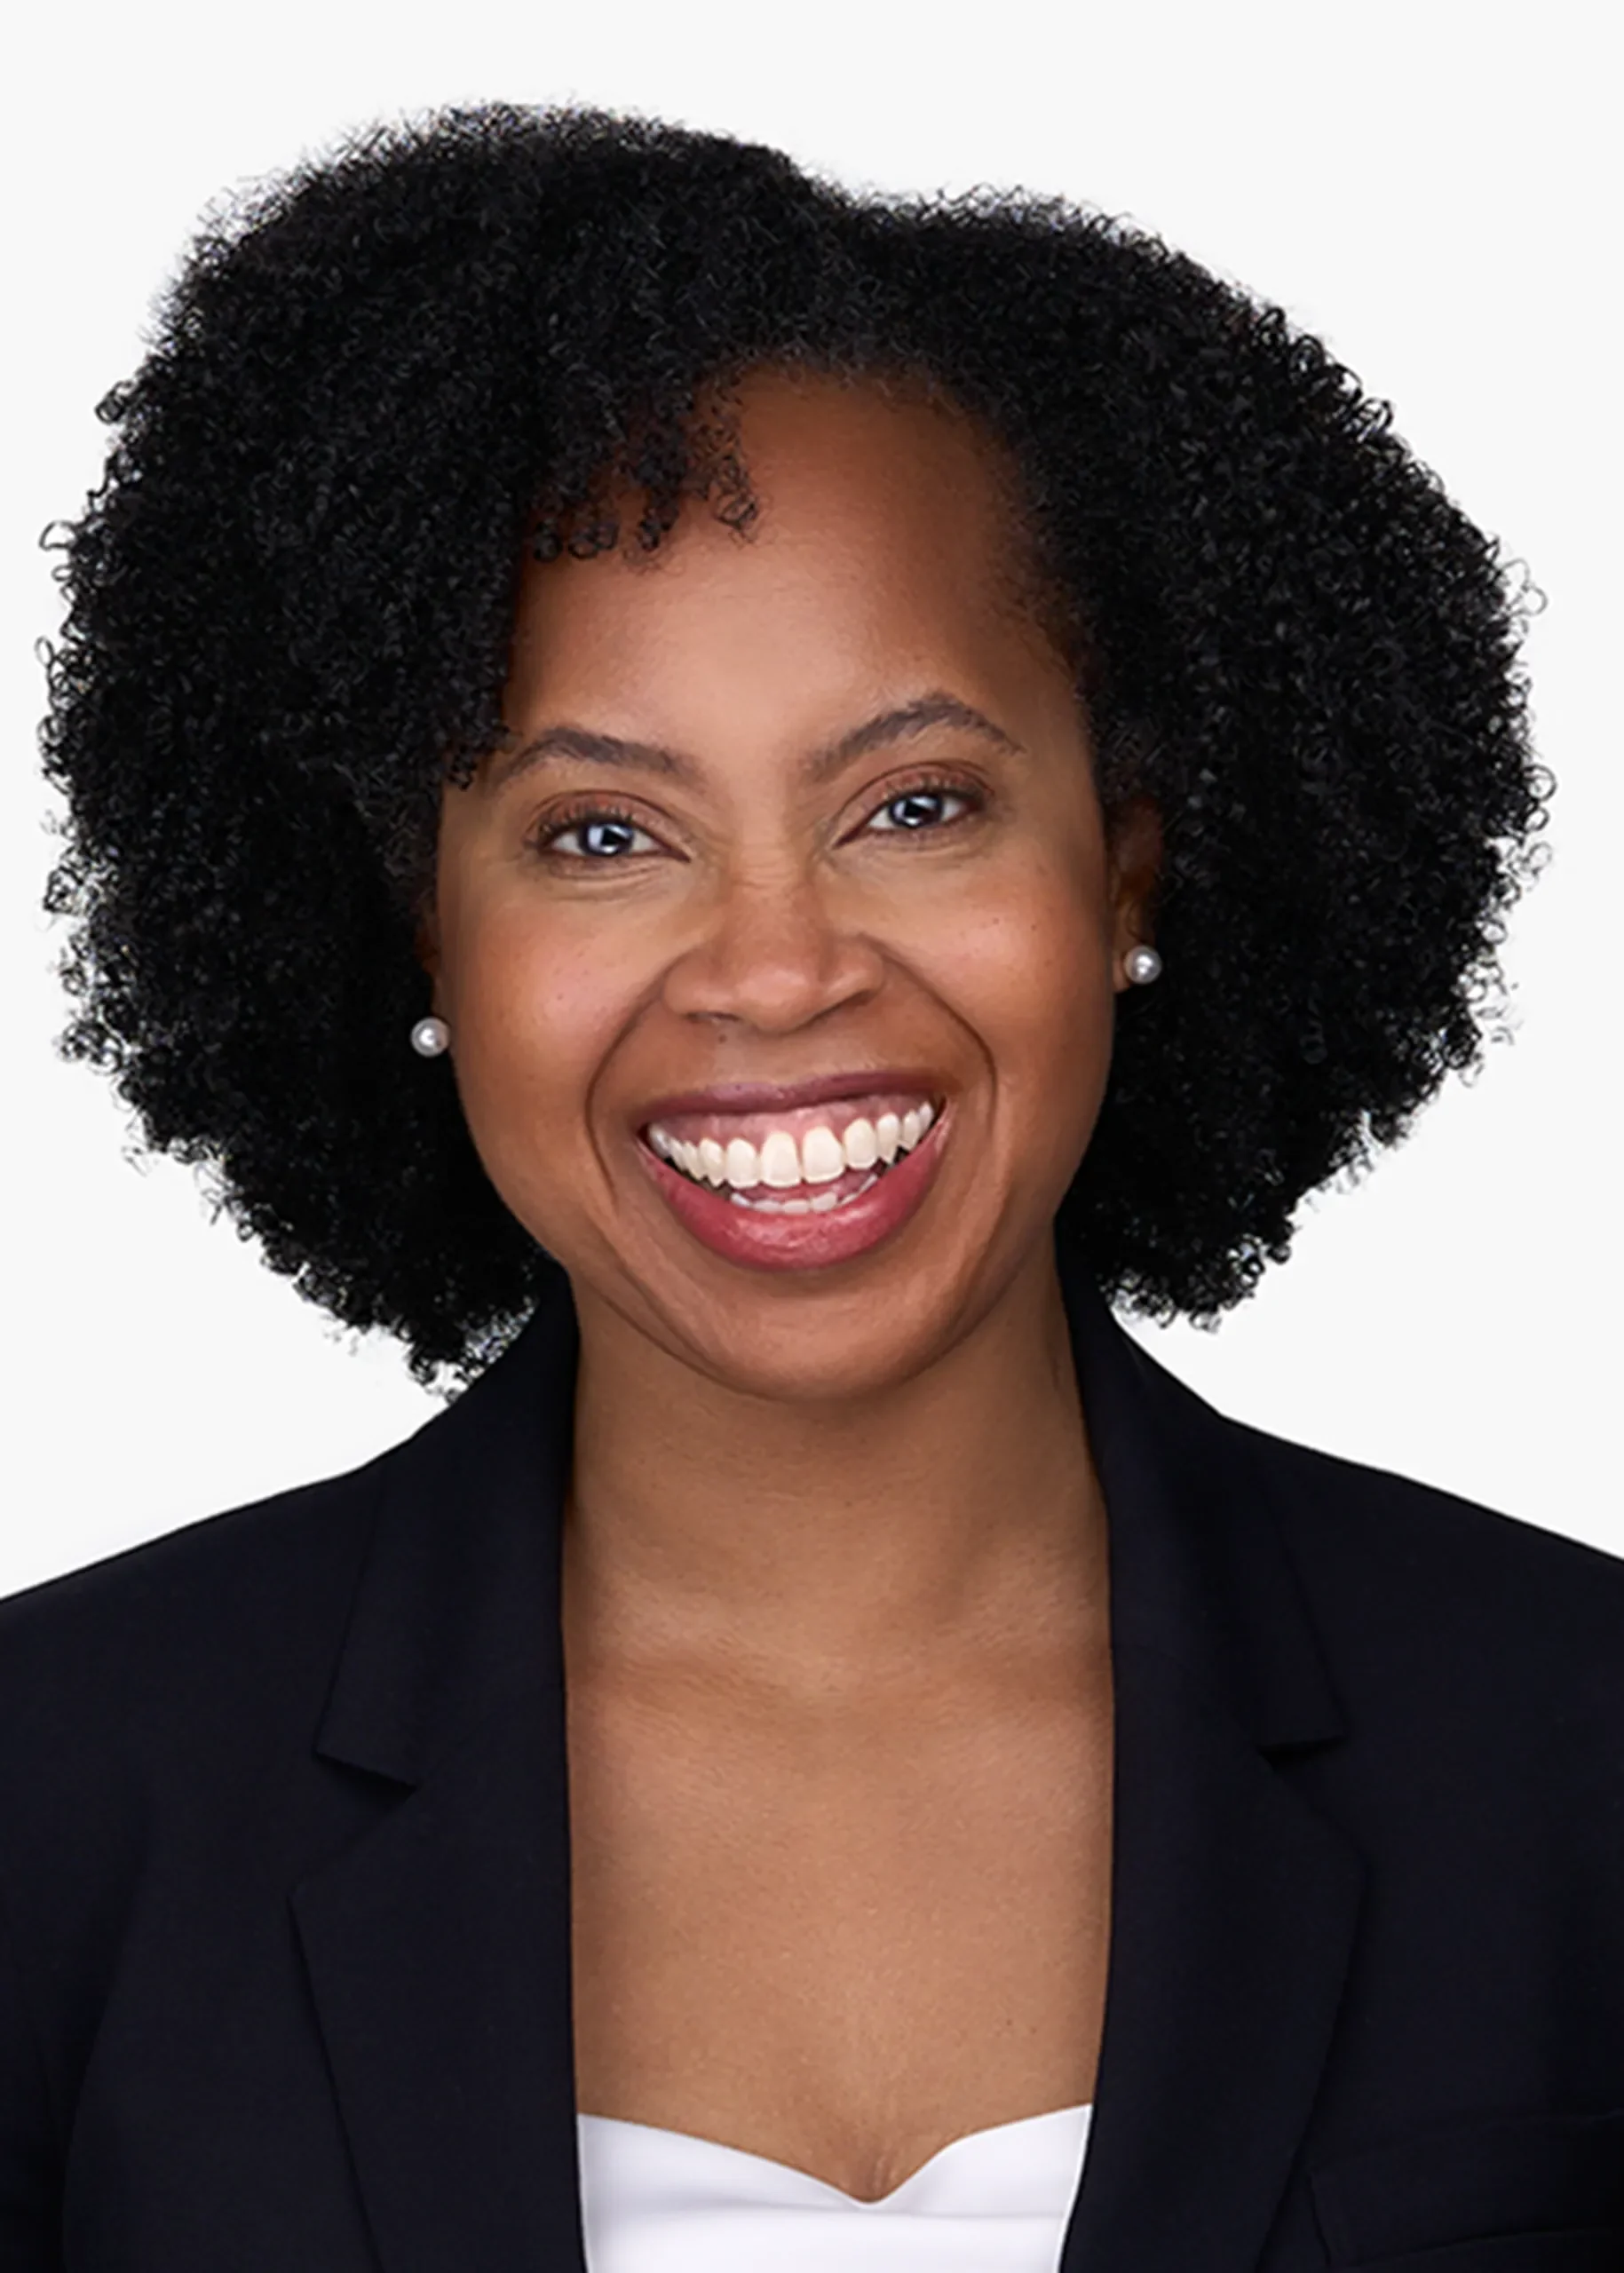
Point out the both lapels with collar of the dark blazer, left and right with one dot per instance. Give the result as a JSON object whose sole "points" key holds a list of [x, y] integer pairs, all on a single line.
{"points": [[440, 1947]]}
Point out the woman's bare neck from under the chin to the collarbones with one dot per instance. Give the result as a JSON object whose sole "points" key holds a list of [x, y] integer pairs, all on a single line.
{"points": [[836, 1545]]}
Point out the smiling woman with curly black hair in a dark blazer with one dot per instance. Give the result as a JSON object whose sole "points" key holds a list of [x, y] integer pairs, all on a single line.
{"points": [[729, 808]]}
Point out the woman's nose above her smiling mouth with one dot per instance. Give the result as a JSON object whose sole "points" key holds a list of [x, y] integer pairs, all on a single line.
{"points": [[774, 956]]}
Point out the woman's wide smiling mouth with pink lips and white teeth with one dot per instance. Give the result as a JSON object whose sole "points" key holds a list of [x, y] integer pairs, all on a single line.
{"points": [[797, 1190]]}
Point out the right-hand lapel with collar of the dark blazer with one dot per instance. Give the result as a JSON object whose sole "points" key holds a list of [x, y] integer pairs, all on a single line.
{"points": [[1234, 1904]]}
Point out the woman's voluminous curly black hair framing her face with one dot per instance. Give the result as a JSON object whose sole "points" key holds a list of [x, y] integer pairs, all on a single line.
{"points": [[290, 610]]}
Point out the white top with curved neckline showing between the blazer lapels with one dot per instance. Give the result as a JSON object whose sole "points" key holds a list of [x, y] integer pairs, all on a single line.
{"points": [[997, 2201]]}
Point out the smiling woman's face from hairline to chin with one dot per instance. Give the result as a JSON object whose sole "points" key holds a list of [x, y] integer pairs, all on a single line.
{"points": [[793, 863]]}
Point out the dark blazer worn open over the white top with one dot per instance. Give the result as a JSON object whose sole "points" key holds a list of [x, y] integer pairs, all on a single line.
{"points": [[285, 1879]]}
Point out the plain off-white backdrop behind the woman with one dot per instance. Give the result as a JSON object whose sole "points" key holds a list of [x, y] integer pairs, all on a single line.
{"points": [[1427, 185]]}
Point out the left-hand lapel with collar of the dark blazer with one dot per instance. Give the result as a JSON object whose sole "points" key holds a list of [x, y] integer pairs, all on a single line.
{"points": [[438, 1947]]}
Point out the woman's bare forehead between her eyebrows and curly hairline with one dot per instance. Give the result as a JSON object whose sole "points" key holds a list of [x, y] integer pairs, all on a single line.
{"points": [[884, 535]]}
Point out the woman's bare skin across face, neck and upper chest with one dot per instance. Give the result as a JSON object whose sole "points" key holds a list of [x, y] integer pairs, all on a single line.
{"points": [[836, 1601]]}
